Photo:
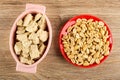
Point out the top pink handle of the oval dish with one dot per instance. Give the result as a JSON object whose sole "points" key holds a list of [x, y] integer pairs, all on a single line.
{"points": [[41, 8]]}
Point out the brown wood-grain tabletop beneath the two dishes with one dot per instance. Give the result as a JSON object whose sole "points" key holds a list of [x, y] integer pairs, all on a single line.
{"points": [[54, 66]]}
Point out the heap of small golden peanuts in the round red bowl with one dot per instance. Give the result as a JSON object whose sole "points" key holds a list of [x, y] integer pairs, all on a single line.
{"points": [[86, 42]]}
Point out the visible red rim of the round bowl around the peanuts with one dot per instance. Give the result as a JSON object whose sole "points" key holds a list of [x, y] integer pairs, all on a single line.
{"points": [[71, 22]]}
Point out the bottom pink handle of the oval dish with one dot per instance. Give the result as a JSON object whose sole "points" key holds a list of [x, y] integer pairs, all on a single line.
{"points": [[22, 68]]}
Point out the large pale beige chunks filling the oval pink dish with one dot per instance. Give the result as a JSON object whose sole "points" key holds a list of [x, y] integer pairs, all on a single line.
{"points": [[31, 38]]}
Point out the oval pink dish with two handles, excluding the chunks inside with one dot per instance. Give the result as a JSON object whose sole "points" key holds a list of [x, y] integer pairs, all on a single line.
{"points": [[30, 8]]}
